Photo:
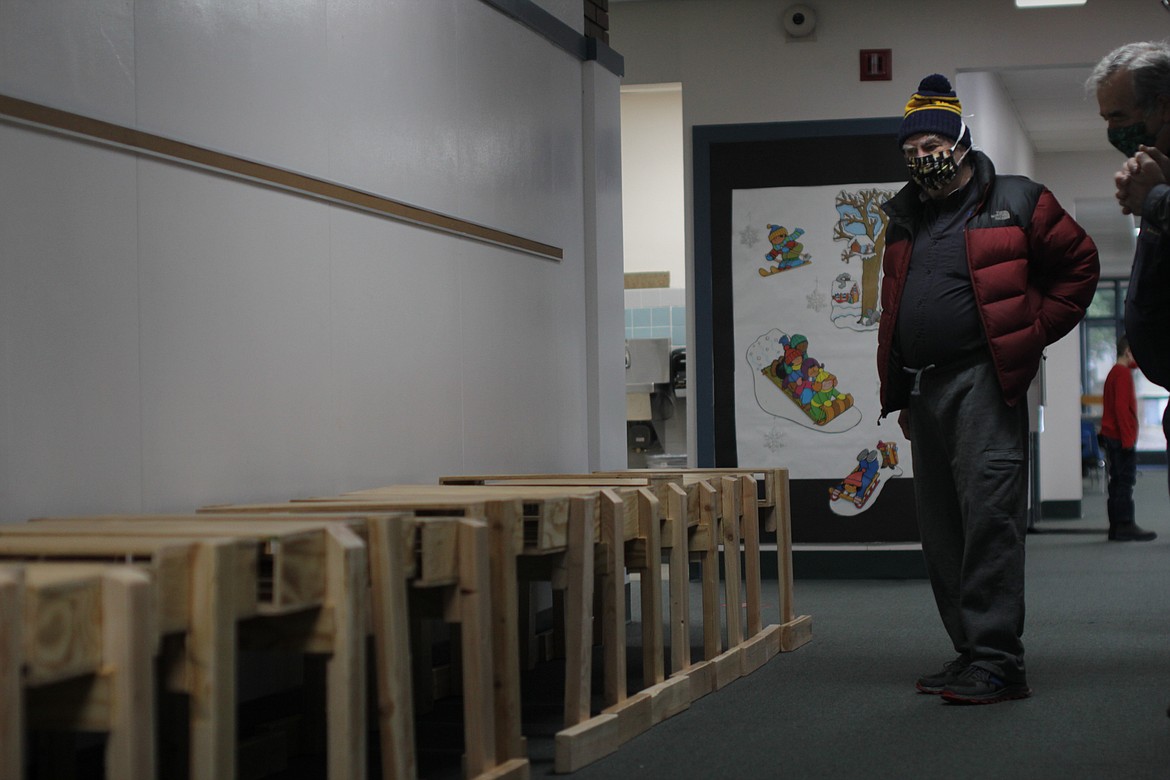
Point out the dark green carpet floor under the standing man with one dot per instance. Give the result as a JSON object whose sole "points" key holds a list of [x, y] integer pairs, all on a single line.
{"points": [[1098, 651]]}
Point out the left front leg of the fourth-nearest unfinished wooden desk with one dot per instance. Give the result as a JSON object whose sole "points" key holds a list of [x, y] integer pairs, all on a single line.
{"points": [[504, 519]]}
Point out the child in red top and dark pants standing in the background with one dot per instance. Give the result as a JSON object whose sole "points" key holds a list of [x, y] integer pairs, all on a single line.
{"points": [[1119, 439]]}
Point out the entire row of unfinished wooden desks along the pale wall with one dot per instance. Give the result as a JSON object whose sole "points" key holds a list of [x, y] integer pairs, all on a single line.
{"points": [[111, 611]]}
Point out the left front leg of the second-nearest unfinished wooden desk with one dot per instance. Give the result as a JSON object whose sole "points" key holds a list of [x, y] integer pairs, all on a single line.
{"points": [[212, 659]]}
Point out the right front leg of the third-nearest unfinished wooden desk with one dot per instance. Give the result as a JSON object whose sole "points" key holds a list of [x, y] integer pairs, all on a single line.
{"points": [[476, 623]]}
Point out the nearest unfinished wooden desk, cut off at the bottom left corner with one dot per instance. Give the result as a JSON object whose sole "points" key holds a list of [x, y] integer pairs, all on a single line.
{"points": [[86, 624]]}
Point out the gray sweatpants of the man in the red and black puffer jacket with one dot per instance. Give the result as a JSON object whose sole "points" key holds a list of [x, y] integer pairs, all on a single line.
{"points": [[971, 485]]}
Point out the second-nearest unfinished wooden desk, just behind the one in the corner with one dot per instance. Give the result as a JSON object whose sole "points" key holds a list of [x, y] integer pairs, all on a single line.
{"points": [[281, 574]]}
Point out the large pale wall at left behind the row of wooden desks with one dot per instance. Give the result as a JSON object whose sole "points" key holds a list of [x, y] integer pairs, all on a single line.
{"points": [[171, 337]]}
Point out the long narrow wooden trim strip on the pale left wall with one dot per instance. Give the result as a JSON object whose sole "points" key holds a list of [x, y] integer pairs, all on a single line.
{"points": [[136, 141]]}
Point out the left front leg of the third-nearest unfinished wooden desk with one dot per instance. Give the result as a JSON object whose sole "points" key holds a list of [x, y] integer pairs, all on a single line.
{"points": [[393, 648]]}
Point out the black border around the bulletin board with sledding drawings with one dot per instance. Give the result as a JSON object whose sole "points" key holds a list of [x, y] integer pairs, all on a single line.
{"points": [[777, 155]]}
